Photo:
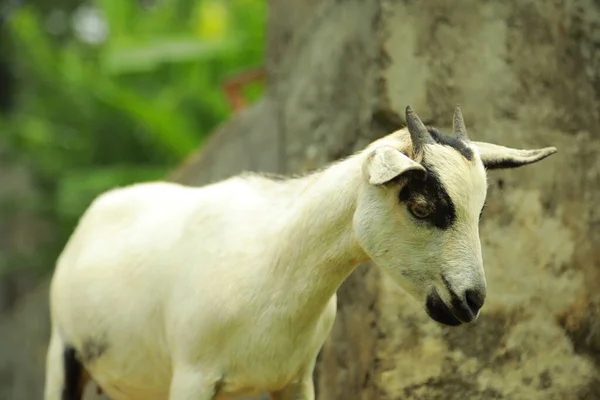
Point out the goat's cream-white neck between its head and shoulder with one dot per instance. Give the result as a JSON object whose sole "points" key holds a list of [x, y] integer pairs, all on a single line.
{"points": [[320, 249]]}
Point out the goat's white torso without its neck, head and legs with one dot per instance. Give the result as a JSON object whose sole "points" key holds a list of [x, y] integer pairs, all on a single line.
{"points": [[145, 286]]}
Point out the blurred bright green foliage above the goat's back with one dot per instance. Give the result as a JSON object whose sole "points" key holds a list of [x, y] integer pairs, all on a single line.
{"points": [[115, 91]]}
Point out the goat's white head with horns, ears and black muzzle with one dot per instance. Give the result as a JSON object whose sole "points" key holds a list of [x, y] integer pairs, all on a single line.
{"points": [[418, 213]]}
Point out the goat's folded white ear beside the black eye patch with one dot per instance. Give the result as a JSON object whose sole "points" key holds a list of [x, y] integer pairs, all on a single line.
{"points": [[387, 163]]}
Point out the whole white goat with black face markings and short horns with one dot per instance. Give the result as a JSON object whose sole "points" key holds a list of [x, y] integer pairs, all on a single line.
{"points": [[172, 292]]}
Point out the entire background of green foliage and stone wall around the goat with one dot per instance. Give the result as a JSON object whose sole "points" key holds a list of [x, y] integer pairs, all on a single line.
{"points": [[104, 93]]}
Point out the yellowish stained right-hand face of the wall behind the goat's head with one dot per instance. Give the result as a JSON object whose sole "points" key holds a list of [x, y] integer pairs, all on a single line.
{"points": [[524, 73]]}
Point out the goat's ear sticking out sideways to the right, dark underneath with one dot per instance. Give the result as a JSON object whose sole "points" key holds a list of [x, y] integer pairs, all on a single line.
{"points": [[500, 157]]}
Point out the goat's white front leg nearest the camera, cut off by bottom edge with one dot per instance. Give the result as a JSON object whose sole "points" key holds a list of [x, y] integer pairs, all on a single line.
{"points": [[191, 384]]}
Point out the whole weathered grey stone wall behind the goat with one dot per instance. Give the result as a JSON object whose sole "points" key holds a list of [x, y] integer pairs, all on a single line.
{"points": [[527, 74]]}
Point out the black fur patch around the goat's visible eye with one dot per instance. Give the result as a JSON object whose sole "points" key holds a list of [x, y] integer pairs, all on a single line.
{"points": [[443, 213]]}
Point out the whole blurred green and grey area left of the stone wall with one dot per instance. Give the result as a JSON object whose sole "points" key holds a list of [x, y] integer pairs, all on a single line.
{"points": [[97, 94]]}
